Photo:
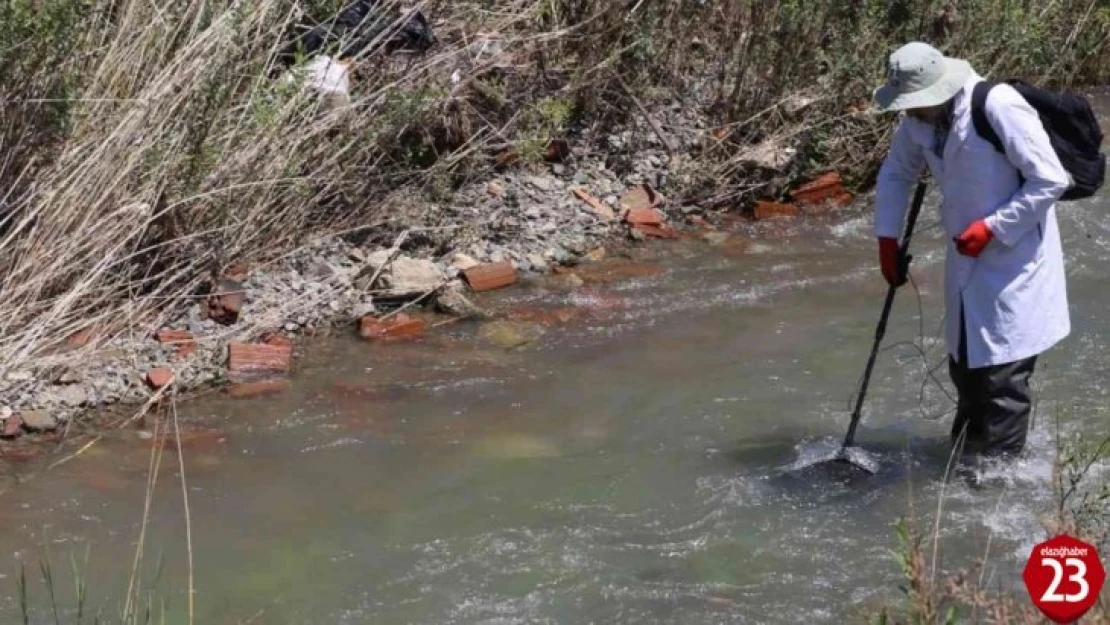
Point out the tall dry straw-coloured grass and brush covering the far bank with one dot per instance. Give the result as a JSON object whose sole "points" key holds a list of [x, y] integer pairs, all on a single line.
{"points": [[144, 146]]}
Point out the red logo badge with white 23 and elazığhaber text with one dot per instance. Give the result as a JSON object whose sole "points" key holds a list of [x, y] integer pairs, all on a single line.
{"points": [[1064, 577]]}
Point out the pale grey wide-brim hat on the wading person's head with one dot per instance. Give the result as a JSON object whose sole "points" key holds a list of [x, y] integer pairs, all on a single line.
{"points": [[920, 76]]}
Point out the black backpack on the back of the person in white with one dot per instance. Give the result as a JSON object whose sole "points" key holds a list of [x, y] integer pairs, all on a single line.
{"points": [[1071, 125]]}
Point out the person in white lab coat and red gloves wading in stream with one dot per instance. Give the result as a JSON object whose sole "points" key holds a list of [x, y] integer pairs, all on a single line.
{"points": [[1006, 297]]}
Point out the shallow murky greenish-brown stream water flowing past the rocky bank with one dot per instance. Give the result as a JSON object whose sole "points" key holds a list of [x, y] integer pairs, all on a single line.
{"points": [[641, 461]]}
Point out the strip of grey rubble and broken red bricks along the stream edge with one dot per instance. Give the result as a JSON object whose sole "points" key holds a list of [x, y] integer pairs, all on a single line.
{"points": [[239, 334]]}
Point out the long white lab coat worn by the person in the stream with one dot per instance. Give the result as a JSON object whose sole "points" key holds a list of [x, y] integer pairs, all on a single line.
{"points": [[1015, 297]]}
